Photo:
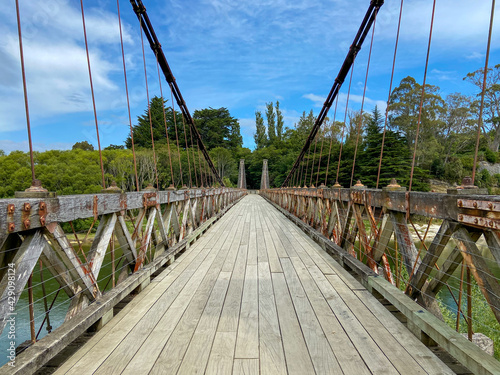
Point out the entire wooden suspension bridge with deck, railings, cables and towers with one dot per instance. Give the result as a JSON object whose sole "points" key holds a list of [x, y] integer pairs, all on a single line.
{"points": [[209, 279]]}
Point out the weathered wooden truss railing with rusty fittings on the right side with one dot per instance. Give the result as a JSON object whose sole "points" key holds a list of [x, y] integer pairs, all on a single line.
{"points": [[420, 242]]}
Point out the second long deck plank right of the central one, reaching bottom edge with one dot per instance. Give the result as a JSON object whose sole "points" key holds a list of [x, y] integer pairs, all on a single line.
{"points": [[298, 360]]}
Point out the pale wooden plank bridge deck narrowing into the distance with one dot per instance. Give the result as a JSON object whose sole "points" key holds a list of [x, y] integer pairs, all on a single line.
{"points": [[254, 295]]}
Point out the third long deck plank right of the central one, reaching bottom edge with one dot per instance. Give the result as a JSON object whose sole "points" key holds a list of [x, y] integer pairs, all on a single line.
{"points": [[321, 353]]}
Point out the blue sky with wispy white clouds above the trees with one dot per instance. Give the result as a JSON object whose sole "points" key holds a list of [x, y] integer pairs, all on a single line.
{"points": [[223, 53]]}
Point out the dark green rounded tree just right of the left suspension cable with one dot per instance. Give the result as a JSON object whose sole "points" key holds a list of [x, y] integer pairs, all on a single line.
{"points": [[218, 128]]}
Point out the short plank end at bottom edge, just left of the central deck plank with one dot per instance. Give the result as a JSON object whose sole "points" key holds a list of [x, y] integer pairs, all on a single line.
{"points": [[222, 354]]}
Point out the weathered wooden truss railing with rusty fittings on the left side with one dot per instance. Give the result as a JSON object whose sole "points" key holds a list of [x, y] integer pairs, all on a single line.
{"points": [[134, 231]]}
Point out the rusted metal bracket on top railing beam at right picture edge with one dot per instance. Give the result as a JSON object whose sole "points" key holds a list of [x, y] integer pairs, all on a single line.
{"points": [[478, 213]]}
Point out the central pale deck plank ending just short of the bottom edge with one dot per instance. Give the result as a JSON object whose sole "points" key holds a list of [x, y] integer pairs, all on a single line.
{"points": [[247, 341]]}
